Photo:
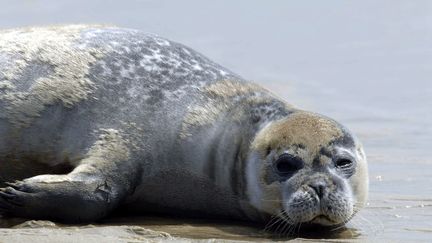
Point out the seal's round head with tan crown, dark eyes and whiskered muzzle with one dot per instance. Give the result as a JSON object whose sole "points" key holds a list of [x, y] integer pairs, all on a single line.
{"points": [[307, 169]]}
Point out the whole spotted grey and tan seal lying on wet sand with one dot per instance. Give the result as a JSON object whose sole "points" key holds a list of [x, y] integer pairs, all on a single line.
{"points": [[99, 118]]}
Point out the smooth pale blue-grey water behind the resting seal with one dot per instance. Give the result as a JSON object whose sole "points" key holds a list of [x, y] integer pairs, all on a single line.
{"points": [[368, 64]]}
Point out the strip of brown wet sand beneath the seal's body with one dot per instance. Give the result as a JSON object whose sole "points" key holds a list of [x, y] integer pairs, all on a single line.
{"points": [[157, 229]]}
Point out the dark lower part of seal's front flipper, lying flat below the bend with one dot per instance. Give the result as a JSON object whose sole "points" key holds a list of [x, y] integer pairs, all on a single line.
{"points": [[66, 198]]}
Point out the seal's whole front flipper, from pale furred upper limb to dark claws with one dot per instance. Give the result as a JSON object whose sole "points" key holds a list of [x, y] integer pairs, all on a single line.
{"points": [[94, 188]]}
